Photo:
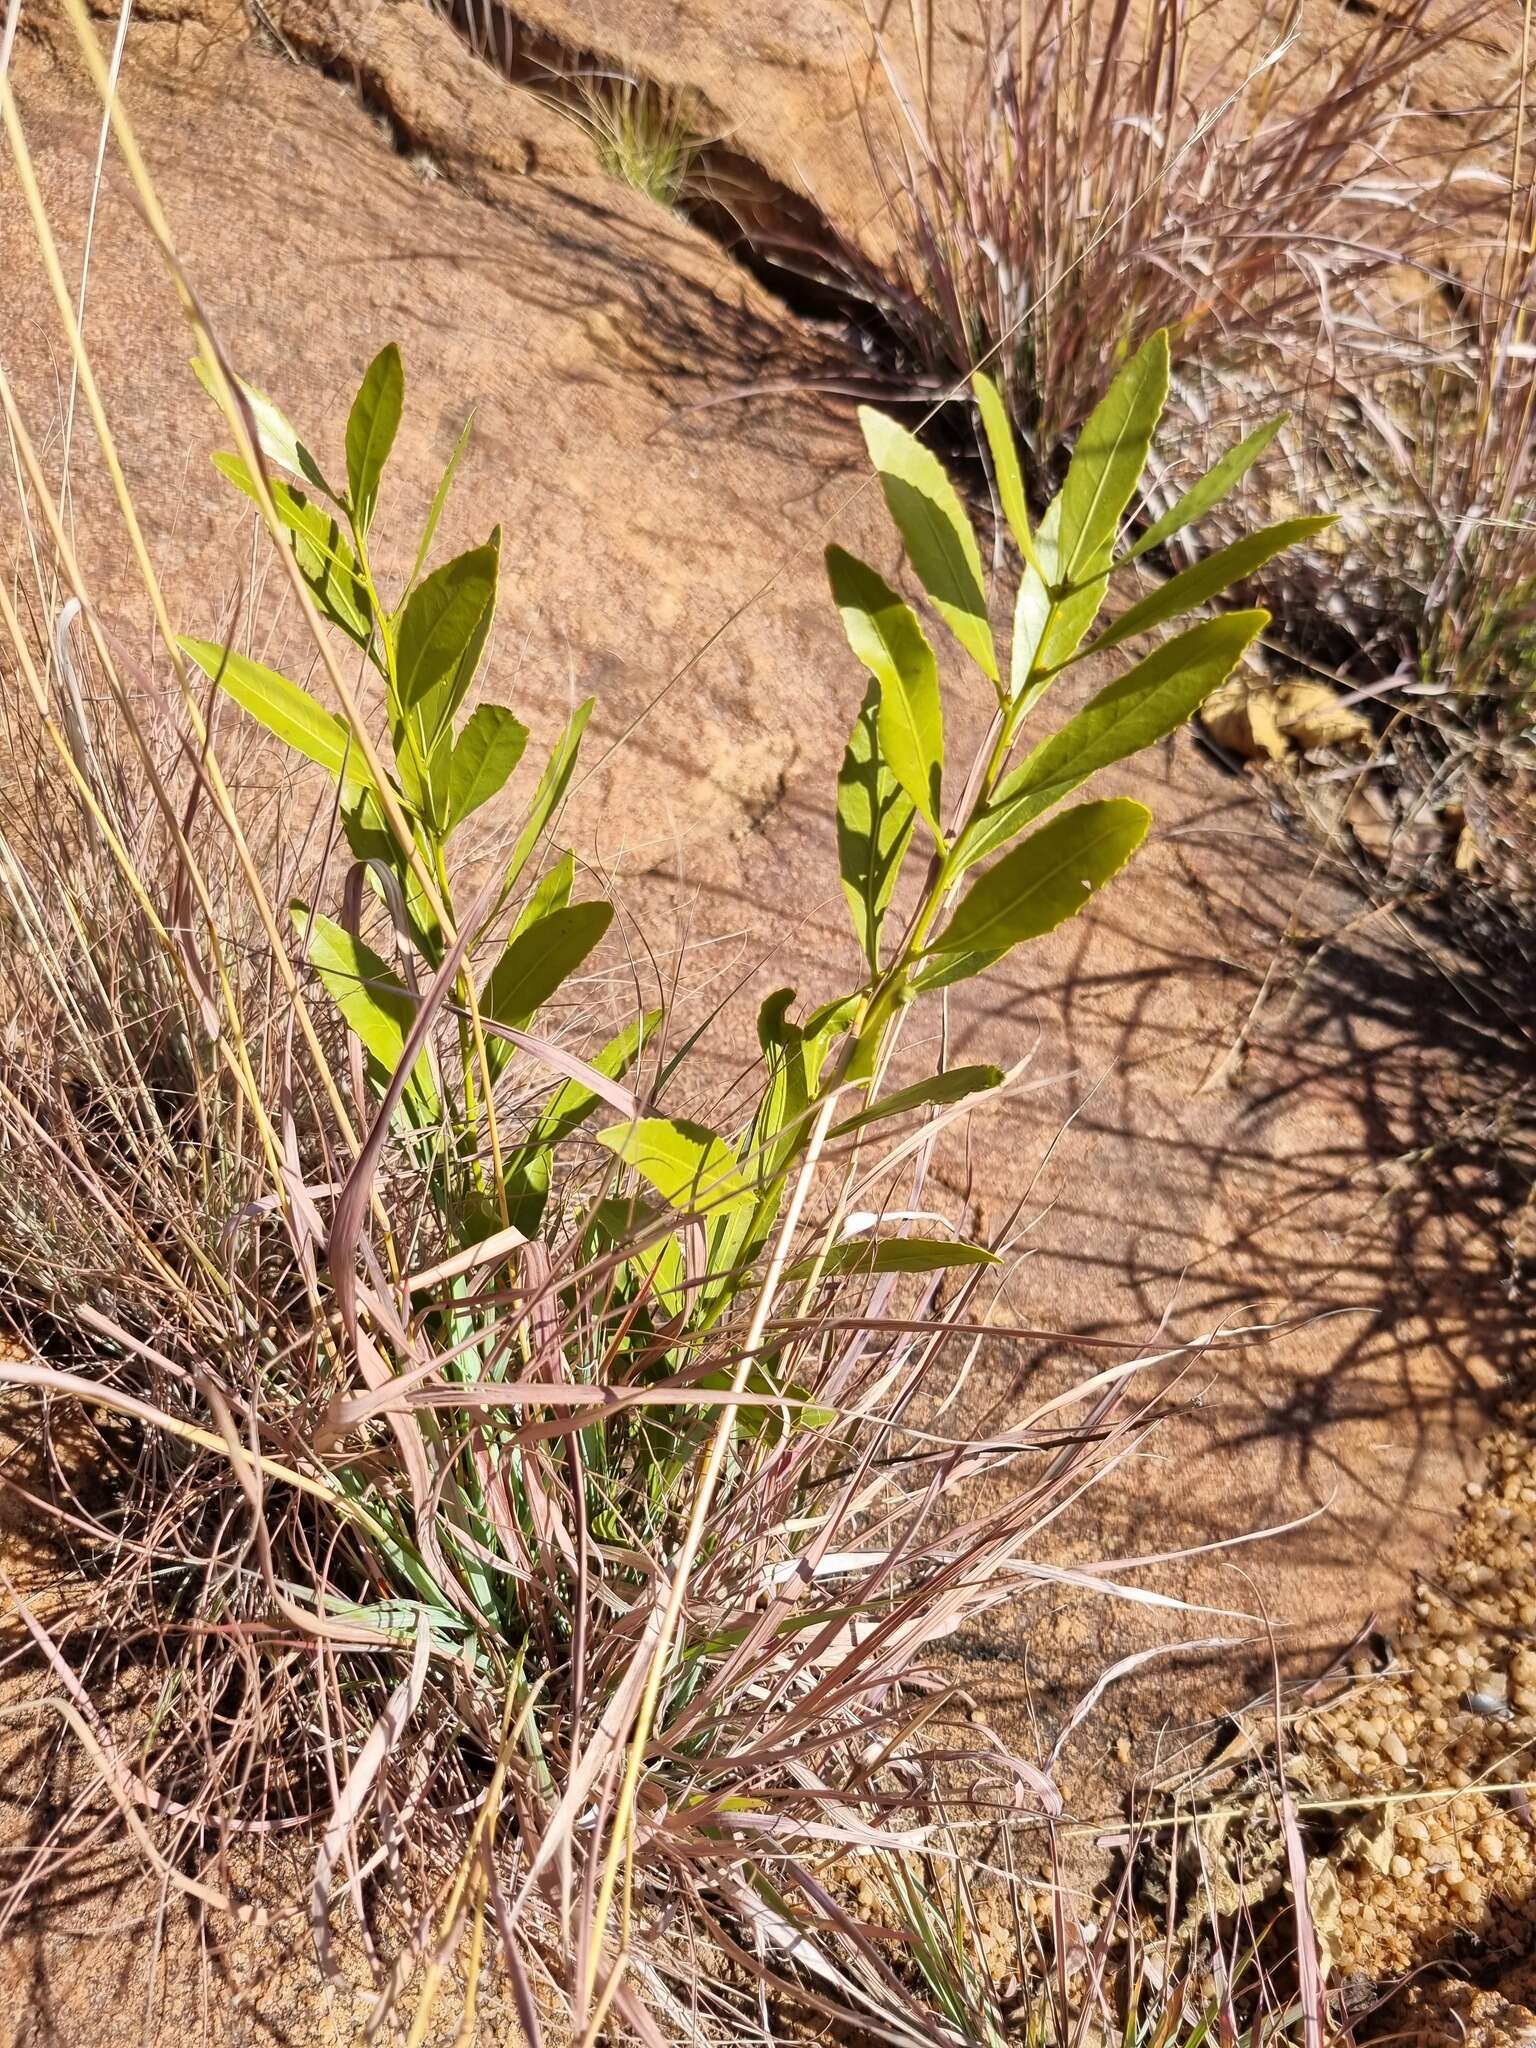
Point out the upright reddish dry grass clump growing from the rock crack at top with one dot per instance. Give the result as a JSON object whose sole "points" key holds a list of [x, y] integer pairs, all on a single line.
{"points": [[1172, 167]]}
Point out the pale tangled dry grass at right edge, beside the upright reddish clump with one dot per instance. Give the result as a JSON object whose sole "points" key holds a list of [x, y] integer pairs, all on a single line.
{"points": [[1428, 456]]}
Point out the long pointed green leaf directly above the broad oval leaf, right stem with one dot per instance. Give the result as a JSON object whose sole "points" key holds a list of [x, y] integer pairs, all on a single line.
{"points": [[1132, 714]]}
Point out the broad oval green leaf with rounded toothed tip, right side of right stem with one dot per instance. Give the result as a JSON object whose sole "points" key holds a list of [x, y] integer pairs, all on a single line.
{"points": [[1048, 880]]}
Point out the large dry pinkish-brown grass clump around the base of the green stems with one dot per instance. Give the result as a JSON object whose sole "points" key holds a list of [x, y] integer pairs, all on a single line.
{"points": [[550, 1650]]}
